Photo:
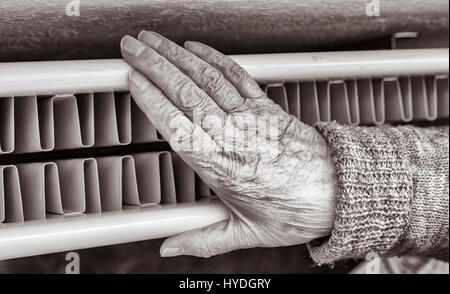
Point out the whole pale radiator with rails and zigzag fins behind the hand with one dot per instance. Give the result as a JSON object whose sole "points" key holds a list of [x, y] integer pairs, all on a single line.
{"points": [[58, 193]]}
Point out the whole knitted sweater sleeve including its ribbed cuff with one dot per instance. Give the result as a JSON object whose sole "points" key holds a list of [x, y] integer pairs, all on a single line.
{"points": [[392, 194]]}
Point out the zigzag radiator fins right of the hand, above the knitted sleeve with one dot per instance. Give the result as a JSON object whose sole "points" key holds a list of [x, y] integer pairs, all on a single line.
{"points": [[365, 101]]}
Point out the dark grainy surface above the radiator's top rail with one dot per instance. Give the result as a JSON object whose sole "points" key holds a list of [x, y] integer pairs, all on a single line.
{"points": [[41, 30]]}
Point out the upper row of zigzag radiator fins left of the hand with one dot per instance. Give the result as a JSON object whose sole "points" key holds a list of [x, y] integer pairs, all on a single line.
{"points": [[39, 123]]}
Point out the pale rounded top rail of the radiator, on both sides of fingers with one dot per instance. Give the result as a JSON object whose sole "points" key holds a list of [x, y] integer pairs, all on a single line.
{"points": [[81, 76]]}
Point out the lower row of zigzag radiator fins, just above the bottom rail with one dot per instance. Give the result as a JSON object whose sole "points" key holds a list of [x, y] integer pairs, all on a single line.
{"points": [[35, 191]]}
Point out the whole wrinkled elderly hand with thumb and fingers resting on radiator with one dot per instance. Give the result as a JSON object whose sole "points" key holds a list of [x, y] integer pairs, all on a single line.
{"points": [[272, 171]]}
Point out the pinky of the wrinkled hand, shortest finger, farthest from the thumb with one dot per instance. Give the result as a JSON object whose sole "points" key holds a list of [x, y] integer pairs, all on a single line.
{"points": [[232, 71]]}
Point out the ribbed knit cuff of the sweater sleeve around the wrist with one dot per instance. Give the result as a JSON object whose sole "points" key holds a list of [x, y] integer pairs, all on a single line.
{"points": [[374, 192]]}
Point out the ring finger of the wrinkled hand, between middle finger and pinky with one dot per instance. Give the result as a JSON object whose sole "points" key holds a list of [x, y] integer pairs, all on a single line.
{"points": [[203, 74]]}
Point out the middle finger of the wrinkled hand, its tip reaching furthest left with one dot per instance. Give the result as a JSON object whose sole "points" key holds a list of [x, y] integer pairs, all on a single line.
{"points": [[178, 87]]}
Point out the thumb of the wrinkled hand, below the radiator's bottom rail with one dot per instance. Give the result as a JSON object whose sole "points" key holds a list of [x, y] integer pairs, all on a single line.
{"points": [[215, 239]]}
